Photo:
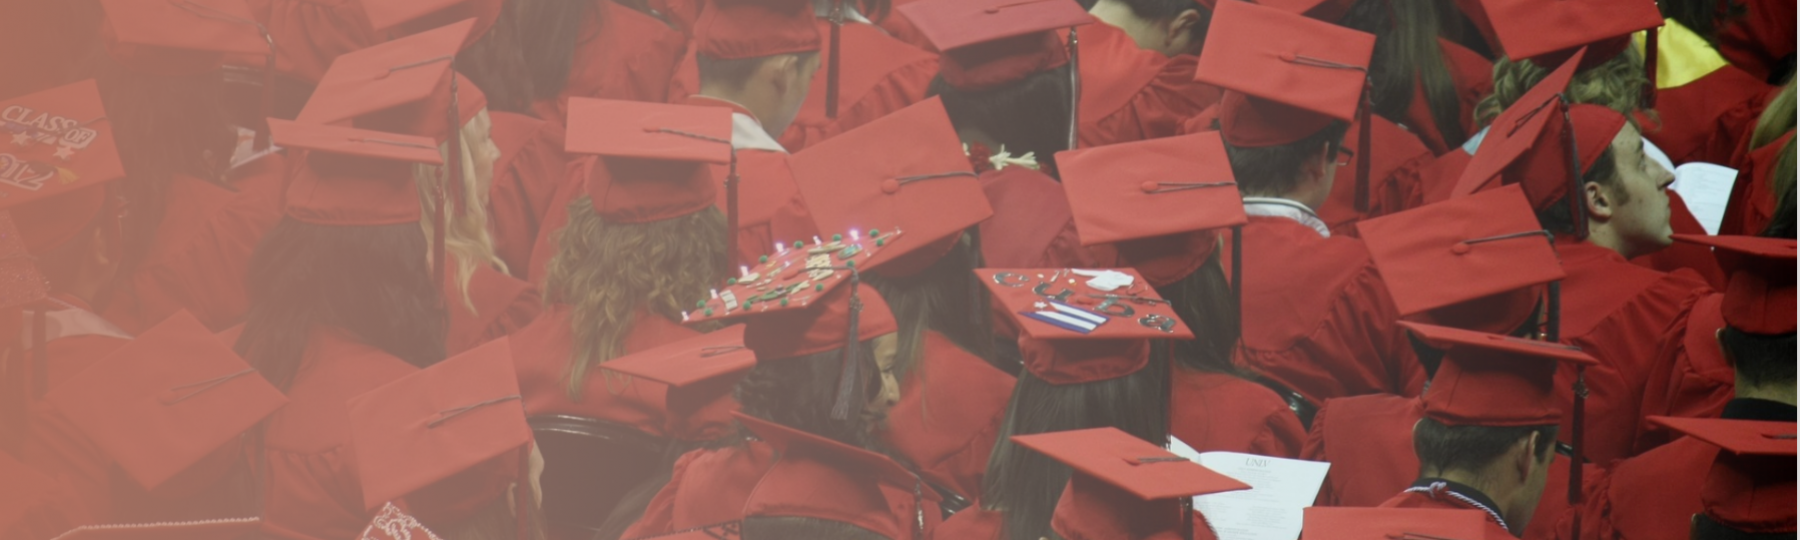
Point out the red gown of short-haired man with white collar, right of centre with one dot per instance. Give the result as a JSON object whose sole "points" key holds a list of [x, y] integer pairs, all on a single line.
{"points": [[1317, 316]]}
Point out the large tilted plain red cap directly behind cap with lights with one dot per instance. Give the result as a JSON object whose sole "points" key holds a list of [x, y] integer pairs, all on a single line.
{"points": [[903, 172]]}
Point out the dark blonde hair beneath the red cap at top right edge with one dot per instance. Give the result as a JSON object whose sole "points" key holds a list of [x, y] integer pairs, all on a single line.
{"points": [[1615, 84]]}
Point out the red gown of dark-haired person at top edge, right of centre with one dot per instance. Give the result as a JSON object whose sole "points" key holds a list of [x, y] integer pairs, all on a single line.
{"points": [[1135, 94]]}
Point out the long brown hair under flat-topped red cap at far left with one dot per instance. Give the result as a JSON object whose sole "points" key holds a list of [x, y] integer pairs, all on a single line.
{"points": [[372, 282]]}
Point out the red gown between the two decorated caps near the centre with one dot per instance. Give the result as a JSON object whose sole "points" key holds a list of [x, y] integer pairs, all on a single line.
{"points": [[949, 417]]}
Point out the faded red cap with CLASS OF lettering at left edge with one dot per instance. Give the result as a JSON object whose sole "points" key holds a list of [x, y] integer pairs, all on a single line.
{"points": [[58, 161]]}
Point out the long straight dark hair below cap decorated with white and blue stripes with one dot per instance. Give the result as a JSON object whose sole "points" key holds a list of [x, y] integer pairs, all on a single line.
{"points": [[1025, 485]]}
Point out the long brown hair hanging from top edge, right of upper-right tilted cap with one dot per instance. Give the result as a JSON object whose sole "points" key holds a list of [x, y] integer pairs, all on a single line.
{"points": [[1407, 55]]}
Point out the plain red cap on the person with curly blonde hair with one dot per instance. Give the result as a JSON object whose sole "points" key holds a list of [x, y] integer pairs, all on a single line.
{"points": [[652, 157]]}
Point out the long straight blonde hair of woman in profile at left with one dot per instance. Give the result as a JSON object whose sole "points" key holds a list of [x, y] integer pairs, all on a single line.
{"points": [[467, 237]]}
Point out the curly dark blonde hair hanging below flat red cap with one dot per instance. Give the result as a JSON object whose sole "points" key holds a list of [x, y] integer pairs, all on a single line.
{"points": [[606, 273]]}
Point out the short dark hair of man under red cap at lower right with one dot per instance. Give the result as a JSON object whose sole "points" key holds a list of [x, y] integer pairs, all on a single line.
{"points": [[1473, 447]]}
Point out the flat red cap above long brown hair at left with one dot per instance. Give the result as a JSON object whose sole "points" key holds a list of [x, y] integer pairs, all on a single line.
{"points": [[354, 177]]}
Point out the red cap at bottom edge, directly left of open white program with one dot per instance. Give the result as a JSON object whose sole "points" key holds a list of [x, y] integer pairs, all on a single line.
{"points": [[1124, 487]]}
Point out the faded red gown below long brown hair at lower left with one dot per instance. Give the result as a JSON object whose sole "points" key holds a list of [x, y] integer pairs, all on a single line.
{"points": [[312, 489]]}
